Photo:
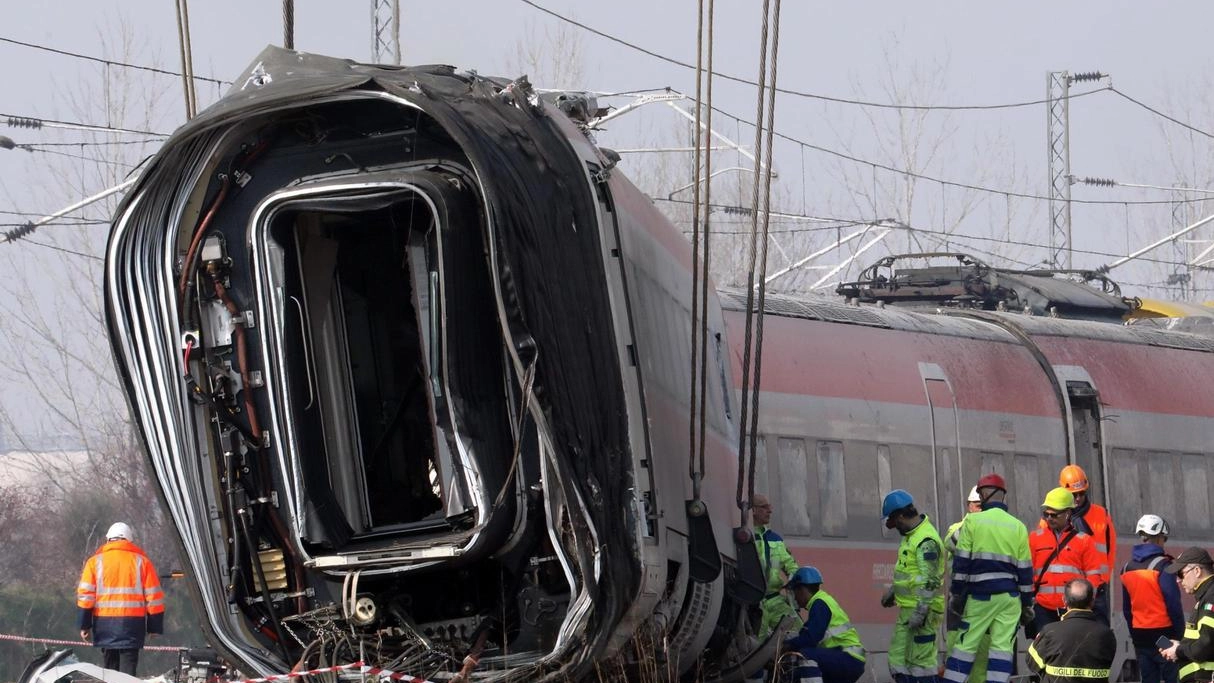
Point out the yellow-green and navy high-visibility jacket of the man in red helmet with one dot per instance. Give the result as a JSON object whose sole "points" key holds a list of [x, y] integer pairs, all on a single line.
{"points": [[992, 555]]}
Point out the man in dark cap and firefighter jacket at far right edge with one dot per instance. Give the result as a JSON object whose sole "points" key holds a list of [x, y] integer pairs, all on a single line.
{"points": [[1195, 653]]}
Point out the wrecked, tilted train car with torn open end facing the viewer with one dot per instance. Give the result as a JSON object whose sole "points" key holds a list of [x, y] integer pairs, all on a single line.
{"points": [[381, 333]]}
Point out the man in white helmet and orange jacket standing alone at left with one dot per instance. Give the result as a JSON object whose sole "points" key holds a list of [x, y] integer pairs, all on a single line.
{"points": [[121, 600]]}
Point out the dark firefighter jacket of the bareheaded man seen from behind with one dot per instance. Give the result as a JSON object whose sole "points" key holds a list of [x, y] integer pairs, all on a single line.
{"points": [[1077, 650]]}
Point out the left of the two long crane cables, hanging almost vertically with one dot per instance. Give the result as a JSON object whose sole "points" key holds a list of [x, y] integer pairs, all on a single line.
{"points": [[697, 403]]}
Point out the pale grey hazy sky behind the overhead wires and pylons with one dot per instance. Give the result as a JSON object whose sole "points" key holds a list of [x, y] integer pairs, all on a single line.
{"points": [[958, 53]]}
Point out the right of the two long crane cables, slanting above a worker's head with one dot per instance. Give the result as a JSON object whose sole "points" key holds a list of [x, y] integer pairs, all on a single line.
{"points": [[765, 118]]}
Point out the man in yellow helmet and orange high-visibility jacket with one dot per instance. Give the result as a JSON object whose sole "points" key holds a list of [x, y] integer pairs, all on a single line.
{"points": [[1062, 554]]}
